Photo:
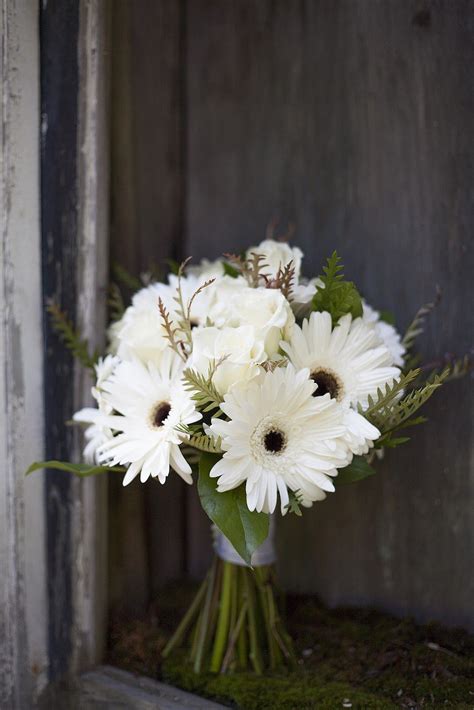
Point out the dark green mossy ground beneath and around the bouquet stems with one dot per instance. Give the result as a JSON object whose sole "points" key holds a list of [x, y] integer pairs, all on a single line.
{"points": [[351, 658]]}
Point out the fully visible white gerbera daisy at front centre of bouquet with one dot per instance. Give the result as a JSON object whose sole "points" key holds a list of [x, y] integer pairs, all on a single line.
{"points": [[279, 437]]}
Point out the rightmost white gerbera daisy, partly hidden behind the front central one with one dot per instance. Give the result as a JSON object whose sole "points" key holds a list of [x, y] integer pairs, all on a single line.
{"points": [[348, 362]]}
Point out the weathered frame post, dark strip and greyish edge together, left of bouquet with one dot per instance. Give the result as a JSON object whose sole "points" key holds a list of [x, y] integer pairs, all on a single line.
{"points": [[74, 180]]}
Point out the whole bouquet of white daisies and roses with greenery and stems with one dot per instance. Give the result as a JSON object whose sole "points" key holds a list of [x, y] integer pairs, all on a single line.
{"points": [[272, 388]]}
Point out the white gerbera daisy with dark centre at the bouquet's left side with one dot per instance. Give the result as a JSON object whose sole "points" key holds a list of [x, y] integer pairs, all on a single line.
{"points": [[151, 403]]}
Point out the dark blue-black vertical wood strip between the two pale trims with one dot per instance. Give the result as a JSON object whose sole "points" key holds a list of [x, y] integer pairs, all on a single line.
{"points": [[59, 88]]}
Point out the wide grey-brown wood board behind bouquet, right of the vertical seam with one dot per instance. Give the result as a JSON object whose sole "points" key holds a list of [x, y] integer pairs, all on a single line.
{"points": [[354, 120]]}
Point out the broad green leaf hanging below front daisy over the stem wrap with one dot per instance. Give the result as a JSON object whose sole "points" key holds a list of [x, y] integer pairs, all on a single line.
{"points": [[244, 529]]}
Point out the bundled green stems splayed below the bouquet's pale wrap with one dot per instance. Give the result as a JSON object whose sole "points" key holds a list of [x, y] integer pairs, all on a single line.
{"points": [[234, 621]]}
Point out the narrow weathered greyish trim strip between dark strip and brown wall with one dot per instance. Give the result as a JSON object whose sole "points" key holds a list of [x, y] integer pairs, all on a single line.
{"points": [[89, 519]]}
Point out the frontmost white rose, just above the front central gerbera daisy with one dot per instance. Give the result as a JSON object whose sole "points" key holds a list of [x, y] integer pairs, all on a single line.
{"points": [[238, 351]]}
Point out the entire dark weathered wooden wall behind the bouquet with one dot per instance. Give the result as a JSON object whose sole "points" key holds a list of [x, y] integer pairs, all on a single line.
{"points": [[353, 120]]}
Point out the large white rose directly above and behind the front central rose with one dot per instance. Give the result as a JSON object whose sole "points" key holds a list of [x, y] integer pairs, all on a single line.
{"points": [[267, 310]]}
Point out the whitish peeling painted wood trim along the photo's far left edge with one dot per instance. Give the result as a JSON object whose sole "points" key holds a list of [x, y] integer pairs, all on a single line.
{"points": [[23, 602]]}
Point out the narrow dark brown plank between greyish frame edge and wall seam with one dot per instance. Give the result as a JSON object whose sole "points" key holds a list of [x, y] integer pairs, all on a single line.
{"points": [[147, 222]]}
